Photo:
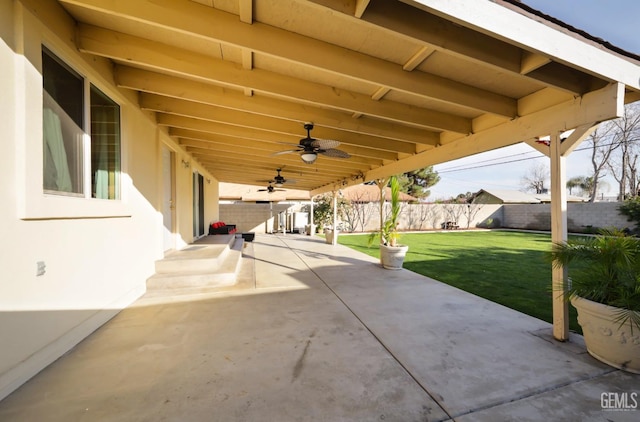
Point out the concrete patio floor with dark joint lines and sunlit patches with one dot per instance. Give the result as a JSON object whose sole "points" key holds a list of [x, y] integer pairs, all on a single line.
{"points": [[315, 332]]}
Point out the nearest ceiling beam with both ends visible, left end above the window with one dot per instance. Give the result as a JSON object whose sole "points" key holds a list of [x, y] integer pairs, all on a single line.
{"points": [[175, 61]]}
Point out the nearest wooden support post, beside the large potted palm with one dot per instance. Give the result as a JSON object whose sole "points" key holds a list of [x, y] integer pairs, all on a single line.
{"points": [[559, 234]]}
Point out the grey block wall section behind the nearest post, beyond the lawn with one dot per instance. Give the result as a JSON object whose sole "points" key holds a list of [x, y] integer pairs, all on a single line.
{"points": [[579, 216]]}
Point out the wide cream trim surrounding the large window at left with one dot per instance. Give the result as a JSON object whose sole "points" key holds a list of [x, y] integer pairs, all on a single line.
{"points": [[32, 201]]}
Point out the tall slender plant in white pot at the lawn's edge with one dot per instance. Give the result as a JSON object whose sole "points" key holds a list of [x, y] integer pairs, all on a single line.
{"points": [[391, 253]]}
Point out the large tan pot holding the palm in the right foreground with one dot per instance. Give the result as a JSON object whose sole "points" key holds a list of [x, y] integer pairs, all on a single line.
{"points": [[605, 339]]}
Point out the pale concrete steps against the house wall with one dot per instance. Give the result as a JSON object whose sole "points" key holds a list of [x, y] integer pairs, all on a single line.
{"points": [[206, 263]]}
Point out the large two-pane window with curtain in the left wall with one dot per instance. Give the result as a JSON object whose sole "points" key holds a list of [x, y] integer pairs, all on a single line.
{"points": [[64, 164]]}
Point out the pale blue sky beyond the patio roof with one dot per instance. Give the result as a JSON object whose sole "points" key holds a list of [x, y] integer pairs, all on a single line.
{"points": [[615, 21]]}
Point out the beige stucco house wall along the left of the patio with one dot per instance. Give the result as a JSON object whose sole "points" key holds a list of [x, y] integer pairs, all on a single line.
{"points": [[98, 254]]}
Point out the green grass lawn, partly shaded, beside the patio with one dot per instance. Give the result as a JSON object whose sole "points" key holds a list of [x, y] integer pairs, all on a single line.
{"points": [[505, 267]]}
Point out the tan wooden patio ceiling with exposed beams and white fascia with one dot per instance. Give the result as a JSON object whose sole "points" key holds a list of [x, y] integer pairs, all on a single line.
{"points": [[401, 84]]}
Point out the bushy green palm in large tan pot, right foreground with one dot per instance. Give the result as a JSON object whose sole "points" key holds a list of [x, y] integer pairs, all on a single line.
{"points": [[604, 286]]}
